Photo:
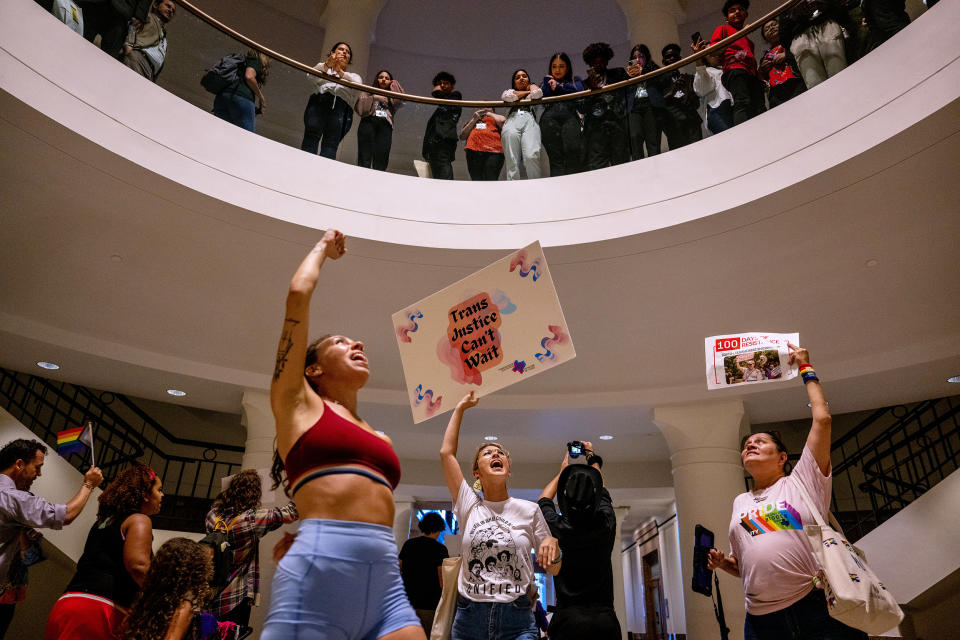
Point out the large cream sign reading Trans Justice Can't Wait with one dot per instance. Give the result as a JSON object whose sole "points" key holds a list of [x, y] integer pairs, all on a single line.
{"points": [[486, 332]]}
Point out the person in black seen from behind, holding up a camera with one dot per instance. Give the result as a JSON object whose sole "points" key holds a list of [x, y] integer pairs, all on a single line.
{"points": [[587, 529]]}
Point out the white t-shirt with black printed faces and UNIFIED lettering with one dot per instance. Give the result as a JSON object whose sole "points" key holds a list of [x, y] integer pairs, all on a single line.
{"points": [[497, 540]]}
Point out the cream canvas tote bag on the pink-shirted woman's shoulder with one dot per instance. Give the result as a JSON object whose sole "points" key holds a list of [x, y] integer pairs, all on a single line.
{"points": [[854, 595]]}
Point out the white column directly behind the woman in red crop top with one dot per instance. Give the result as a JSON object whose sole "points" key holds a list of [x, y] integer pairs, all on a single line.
{"points": [[258, 455]]}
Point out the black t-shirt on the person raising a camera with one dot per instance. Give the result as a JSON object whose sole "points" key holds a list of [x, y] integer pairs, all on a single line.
{"points": [[586, 575]]}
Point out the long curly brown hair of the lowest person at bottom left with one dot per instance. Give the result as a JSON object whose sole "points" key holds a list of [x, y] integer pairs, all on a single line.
{"points": [[180, 571]]}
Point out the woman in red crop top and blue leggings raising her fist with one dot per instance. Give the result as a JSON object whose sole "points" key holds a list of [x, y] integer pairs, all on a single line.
{"points": [[341, 572]]}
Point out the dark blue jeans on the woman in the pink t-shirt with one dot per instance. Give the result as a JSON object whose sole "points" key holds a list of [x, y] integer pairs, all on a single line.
{"points": [[805, 619]]}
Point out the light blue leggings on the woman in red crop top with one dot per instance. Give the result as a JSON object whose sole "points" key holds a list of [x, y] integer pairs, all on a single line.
{"points": [[339, 581]]}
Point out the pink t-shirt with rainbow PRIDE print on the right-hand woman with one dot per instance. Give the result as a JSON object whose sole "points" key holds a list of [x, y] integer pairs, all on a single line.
{"points": [[766, 536]]}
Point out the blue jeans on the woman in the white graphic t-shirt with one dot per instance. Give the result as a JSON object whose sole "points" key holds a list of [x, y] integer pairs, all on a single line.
{"points": [[494, 620]]}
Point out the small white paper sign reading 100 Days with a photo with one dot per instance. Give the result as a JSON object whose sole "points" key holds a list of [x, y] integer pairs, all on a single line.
{"points": [[747, 358]]}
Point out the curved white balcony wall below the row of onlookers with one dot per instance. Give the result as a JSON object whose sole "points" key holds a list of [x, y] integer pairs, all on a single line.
{"points": [[827, 126]]}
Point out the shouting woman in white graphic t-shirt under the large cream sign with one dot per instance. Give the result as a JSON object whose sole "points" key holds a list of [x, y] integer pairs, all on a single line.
{"points": [[499, 533]]}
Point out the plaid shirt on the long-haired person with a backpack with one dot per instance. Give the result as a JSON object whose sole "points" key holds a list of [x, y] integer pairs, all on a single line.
{"points": [[244, 534]]}
